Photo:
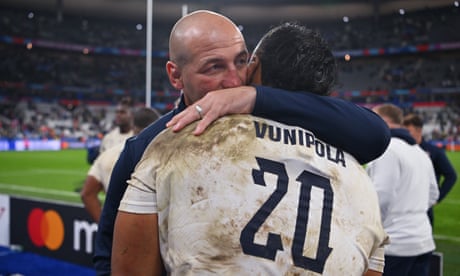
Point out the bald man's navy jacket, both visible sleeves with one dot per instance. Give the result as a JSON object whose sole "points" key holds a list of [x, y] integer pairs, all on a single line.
{"points": [[354, 129]]}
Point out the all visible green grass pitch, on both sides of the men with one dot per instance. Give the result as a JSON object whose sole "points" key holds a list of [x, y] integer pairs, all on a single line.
{"points": [[58, 175]]}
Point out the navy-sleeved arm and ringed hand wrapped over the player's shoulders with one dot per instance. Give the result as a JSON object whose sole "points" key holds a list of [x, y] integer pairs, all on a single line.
{"points": [[343, 124]]}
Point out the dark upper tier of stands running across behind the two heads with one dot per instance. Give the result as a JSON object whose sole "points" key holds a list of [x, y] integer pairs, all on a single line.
{"points": [[429, 25]]}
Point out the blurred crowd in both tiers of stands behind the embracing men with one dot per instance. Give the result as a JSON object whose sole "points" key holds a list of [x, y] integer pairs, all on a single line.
{"points": [[54, 93]]}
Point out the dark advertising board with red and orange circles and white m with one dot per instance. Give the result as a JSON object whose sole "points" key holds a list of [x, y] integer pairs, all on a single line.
{"points": [[59, 231]]}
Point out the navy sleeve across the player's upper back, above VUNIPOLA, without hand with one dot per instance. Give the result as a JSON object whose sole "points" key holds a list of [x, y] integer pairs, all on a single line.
{"points": [[343, 124]]}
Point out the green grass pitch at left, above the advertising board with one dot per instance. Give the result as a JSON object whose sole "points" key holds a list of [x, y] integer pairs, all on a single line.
{"points": [[56, 175]]}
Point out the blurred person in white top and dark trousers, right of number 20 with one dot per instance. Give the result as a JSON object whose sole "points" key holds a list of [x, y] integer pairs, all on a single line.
{"points": [[406, 185]]}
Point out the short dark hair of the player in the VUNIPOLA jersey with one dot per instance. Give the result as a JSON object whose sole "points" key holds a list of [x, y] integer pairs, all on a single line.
{"points": [[297, 59]]}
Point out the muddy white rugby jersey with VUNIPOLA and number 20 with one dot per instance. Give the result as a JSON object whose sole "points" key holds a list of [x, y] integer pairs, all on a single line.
{"points": [[255, 197]]}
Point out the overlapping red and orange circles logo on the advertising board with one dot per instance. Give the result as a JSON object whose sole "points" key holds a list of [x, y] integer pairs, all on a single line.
{"points": [[45, 228]]}
